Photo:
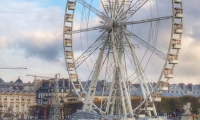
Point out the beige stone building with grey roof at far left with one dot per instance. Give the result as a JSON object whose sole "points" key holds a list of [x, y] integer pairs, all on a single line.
{"points": [[18, 96]]}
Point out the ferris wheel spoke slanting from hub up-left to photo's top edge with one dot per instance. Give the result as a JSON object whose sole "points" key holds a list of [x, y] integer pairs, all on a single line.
{"points": [[91, 8]]}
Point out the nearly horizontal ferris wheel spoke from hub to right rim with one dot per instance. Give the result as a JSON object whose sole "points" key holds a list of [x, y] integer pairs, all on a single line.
{"points": [[147, 20]]}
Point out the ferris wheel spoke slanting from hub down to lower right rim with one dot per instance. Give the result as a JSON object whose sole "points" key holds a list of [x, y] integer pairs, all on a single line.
{"points": [[147, 45]]}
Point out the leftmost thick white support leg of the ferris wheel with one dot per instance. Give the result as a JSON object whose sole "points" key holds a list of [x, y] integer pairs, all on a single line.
{"points": [[92, 89]]}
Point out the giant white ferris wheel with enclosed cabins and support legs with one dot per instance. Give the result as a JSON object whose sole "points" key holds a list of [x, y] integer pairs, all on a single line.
{"points": [[112, 45]]}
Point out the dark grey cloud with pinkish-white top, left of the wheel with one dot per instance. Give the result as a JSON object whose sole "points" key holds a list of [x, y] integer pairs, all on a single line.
{"points": [[41, 44]]}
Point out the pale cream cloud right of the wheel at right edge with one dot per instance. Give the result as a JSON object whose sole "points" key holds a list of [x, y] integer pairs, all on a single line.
{"points": [[189, 65]]}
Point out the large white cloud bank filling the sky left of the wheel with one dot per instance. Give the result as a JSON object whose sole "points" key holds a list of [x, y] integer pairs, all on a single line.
{"points": [[31, 36]]}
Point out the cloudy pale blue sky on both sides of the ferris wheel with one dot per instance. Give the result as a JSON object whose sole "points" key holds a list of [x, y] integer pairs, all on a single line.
{"points": [[31, 36]]}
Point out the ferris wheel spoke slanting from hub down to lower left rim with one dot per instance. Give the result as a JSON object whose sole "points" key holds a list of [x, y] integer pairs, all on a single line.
{"points": [[90, 50]]}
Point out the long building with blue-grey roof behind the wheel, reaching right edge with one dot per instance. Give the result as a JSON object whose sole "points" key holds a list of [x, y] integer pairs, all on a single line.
{"points": [[174, 90]]}
